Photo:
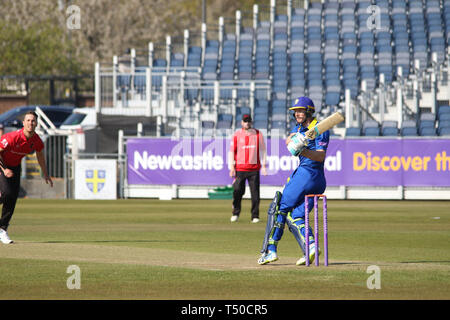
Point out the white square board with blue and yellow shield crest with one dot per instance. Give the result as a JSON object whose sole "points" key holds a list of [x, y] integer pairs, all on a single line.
{"points": [[96, 179]]}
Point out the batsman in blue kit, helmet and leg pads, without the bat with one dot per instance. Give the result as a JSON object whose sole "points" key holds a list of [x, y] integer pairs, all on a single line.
{"points": [[309, 178]]}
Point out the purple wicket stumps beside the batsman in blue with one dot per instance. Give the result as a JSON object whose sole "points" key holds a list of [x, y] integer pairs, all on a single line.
{"points": [[316, 228]]}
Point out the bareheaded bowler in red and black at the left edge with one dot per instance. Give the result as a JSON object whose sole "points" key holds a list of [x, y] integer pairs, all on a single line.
{"points": [[13, 147]]}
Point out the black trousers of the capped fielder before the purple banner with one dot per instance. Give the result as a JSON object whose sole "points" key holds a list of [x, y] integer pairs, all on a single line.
{"points": [[239, 189]]}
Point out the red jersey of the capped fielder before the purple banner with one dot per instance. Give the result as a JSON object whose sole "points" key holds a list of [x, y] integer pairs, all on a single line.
{"points": [[247, 146]]}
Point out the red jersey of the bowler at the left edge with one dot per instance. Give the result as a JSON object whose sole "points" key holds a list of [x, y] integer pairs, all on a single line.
{"points": [[16, 146]]}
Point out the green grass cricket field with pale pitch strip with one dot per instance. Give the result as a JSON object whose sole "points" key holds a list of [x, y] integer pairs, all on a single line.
{"points": [[188, 249]]}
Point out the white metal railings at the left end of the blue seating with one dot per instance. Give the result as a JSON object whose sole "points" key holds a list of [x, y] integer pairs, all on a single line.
{"points": [[149, 88]]}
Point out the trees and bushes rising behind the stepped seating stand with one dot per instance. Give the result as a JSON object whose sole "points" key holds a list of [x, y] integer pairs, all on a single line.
{"points": [[31, 30]]}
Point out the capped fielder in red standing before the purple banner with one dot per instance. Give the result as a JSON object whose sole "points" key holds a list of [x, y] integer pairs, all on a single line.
{"points": [[246, 148]]}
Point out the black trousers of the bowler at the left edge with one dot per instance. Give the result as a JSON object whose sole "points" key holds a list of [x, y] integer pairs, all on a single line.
{"points": [[9, 188]]}
